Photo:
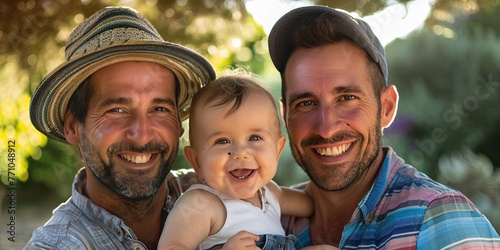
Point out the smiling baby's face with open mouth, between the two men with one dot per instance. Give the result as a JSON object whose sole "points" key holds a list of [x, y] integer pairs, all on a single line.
{"points": [[238, 154]]}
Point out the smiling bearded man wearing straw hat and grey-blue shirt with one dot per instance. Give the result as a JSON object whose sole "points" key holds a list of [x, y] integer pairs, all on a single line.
{"points": [[120, 97]]}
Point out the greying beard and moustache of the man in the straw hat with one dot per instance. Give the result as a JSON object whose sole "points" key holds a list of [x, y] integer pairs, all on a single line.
{"points": [[134, 185]]}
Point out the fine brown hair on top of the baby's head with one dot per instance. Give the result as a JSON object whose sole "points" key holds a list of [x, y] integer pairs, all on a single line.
{"points": [[222, 91]]}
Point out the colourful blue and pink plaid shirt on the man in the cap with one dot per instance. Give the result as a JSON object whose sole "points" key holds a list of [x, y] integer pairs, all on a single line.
{"points": [[407, 210]]}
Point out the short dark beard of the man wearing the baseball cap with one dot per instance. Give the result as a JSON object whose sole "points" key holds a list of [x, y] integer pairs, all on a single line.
{"points": [[335, 177]]}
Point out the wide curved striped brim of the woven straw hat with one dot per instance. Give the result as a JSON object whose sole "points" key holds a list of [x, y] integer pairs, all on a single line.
{"points": [[49, 102]]}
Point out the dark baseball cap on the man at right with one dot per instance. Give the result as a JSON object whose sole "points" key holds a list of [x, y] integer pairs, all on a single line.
{"points": [[281, 43]]}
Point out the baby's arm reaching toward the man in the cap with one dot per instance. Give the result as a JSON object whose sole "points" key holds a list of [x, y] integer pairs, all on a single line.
{"points": [[292, 201]]}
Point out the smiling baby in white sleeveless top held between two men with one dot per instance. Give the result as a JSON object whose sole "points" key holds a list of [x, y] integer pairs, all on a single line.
{"points": [[236, 142]]}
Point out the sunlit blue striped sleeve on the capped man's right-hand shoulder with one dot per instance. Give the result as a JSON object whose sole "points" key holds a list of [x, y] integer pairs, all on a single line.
{"points": [[453, 222]]}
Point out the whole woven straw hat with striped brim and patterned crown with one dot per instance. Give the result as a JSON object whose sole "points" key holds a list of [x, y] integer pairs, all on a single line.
{"points": [[112, 35]]}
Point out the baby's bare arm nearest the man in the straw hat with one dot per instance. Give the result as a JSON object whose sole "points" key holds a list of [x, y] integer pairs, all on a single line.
{"points": [[195, 216]]}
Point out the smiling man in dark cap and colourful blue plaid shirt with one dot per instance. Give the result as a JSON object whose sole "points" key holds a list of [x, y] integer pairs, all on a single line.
{"points": [[336, 102]]}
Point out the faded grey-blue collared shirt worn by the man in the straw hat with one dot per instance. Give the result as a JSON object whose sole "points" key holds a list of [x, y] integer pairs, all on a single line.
{"points": [[80, 224]]}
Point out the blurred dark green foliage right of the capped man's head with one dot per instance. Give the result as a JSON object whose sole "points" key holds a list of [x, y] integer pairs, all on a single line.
{"points": [[448, 86]]}
